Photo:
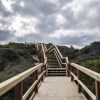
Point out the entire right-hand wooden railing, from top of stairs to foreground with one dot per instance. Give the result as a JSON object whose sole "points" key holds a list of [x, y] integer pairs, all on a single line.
{"points": [[77, 76]]}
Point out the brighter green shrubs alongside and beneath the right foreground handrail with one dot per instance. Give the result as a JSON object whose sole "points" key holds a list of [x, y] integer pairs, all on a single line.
{"points": [[92, 65]]}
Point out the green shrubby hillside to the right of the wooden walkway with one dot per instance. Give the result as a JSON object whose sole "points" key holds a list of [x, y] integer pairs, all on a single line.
{"points": [[89, 57]]}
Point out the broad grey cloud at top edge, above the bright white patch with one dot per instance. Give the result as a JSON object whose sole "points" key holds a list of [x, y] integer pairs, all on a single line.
{"points": [[34, 8]]}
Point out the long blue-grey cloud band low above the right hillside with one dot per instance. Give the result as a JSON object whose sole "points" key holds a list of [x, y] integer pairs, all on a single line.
{"points": [[79, 40]]}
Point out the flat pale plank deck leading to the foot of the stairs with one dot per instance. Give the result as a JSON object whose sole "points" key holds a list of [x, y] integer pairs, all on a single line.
{"points": [[58, 88]]}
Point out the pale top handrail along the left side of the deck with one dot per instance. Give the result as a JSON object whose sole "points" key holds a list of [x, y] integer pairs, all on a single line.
{"points": [[10, 83]]}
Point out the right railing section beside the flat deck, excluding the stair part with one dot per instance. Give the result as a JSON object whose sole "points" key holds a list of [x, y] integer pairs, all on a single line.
{"points": [[90, 73]]}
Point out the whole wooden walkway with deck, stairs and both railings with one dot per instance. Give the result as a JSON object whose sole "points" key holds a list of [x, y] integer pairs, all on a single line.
{"points": [[60, 87]]}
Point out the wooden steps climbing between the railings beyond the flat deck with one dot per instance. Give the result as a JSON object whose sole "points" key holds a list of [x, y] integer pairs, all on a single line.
{"points": [[54, 69]]}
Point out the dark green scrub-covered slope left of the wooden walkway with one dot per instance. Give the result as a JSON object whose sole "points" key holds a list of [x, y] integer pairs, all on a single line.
{"points": [[15, 58]]}
